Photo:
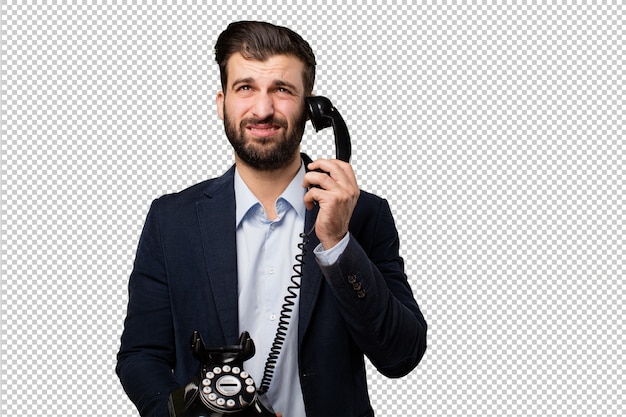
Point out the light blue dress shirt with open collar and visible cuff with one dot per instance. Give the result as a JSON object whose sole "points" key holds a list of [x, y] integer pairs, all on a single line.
{"points": [[266, 253]]}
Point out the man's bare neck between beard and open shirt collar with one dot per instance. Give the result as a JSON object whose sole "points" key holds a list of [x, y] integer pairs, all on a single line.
{"points": [[267, 186]]}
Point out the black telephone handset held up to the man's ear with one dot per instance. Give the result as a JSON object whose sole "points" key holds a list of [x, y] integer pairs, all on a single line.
{"points": [[323, 114]]}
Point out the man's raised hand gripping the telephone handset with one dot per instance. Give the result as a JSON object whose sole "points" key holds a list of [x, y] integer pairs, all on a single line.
{"points": [[337, 195]]}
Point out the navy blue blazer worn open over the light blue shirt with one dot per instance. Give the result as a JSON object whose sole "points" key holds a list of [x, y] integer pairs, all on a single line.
{"points": [[185, 278]]}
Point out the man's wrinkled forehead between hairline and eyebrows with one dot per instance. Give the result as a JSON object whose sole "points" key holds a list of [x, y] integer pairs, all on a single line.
{"points": [[277, 68]]}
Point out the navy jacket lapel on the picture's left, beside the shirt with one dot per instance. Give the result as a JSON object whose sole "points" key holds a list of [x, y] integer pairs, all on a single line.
{"points": [[216, 215]]}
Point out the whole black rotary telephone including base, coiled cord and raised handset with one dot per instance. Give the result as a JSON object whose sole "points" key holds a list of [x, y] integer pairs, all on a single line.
{"points": [[222, 387]]}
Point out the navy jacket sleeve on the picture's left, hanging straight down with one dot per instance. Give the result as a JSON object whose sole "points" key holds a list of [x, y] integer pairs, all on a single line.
{"points": [[146, 356]]}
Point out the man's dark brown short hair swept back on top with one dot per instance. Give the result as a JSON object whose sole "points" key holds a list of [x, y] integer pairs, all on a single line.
{"points": [[260, 41]]}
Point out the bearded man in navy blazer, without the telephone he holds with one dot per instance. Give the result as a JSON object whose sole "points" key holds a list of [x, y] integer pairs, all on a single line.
{"points": [[219, 256]]}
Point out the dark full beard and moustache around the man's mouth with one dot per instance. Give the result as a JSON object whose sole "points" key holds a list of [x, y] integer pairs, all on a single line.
{"points": [[266, 154]]}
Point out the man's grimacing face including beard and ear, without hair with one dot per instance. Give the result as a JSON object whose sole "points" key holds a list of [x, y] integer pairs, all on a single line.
{"points": [[263, 110]]}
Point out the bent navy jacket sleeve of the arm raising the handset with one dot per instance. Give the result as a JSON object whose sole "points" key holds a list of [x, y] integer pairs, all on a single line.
{"points": [[373, 294]]}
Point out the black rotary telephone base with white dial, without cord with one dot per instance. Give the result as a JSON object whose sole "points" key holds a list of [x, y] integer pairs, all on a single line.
{"points": [[221, 387]]}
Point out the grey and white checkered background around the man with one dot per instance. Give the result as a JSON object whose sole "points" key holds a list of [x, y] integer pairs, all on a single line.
{"points": [[495, 131]]}
